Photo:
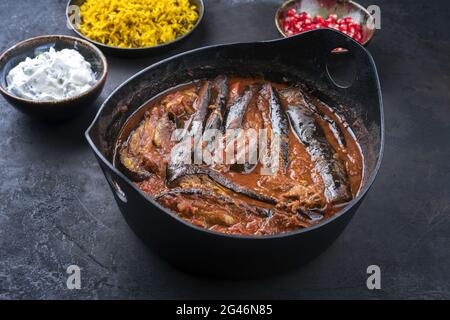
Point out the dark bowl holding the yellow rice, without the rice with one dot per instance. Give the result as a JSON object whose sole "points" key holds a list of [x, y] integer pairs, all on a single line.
{"points": [[133, 52]]}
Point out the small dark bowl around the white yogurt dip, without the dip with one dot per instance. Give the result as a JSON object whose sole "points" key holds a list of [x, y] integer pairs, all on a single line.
{"points": [[53, 109]]}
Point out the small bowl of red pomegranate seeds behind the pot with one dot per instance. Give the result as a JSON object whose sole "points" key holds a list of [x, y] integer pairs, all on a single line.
{"points": [[297, 16]]}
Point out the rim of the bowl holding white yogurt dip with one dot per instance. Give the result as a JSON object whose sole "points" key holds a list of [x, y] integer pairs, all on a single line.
{"points": [[48, 38]]}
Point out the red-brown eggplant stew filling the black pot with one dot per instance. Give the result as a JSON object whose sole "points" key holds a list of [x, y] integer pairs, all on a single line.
{"points": [[310, 166]]}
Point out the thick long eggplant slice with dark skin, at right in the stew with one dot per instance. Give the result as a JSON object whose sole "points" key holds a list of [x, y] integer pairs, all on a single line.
{"points": [[310, 134]]}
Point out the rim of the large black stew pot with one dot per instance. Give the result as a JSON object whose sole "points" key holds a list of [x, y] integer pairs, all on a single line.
{"points": [[349, 205]]}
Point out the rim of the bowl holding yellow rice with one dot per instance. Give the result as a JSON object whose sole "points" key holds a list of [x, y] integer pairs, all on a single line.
{"points": [[159, 46]]}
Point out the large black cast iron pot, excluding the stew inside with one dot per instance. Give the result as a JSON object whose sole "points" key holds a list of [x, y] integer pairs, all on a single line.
{"points": [[304, 58]]}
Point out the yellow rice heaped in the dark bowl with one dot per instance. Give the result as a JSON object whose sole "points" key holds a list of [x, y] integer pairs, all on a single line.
{"points": [[136, 23]]}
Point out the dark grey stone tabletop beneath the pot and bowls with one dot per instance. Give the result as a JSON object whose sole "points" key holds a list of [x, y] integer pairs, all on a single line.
{"points": [[56, 208]]}
